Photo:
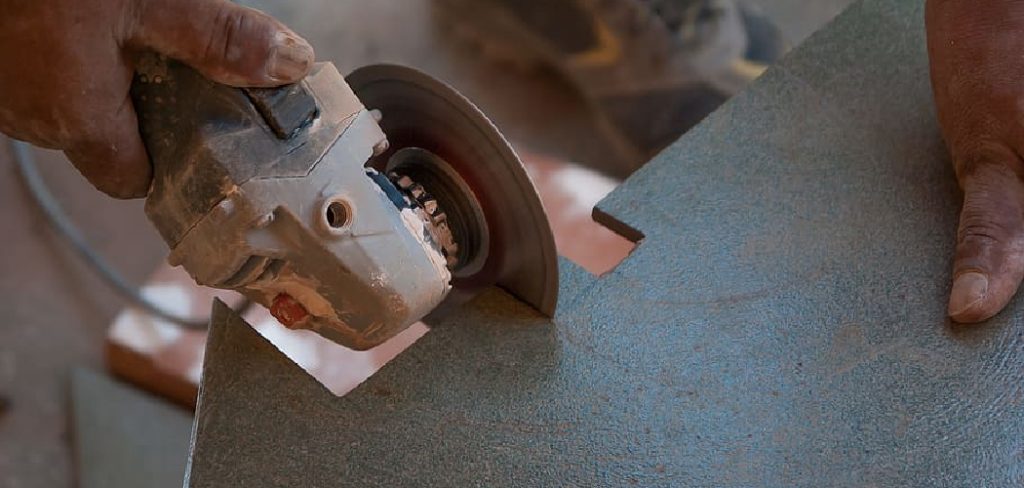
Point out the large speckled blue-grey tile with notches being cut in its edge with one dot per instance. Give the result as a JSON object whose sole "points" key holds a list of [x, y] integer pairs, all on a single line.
{"points": [[782, 324]]}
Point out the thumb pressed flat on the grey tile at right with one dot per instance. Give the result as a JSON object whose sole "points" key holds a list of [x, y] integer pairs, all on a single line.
{"points": [[990, 261]]}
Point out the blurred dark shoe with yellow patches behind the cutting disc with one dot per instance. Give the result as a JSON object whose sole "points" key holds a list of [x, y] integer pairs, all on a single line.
{"points": [[651, 70]]}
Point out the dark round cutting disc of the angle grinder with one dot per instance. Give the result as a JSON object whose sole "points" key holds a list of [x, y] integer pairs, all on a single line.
{"points": [[421, 112]]}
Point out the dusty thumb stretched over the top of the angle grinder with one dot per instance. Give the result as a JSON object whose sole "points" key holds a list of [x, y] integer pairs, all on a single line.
{"points": [[226, 42]]}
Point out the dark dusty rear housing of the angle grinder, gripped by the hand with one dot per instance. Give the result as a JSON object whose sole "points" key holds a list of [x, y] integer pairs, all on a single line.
{"points": [[204, 138]]}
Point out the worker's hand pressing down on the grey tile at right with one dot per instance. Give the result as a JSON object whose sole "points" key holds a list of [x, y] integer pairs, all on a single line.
{"points": [[977, 57]]}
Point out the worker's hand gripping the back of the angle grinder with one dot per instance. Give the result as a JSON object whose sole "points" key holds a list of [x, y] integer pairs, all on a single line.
{"points": [[66, 70]]}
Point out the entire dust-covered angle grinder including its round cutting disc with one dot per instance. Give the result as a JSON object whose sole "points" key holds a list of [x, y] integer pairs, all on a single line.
{"points": [[350, 207]]}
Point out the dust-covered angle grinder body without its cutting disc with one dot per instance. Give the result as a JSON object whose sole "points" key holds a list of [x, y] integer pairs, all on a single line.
{"points": [[267, 192]]}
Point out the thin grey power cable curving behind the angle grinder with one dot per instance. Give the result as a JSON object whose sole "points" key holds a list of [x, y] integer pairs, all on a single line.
{"points": [[57, 217]]}
